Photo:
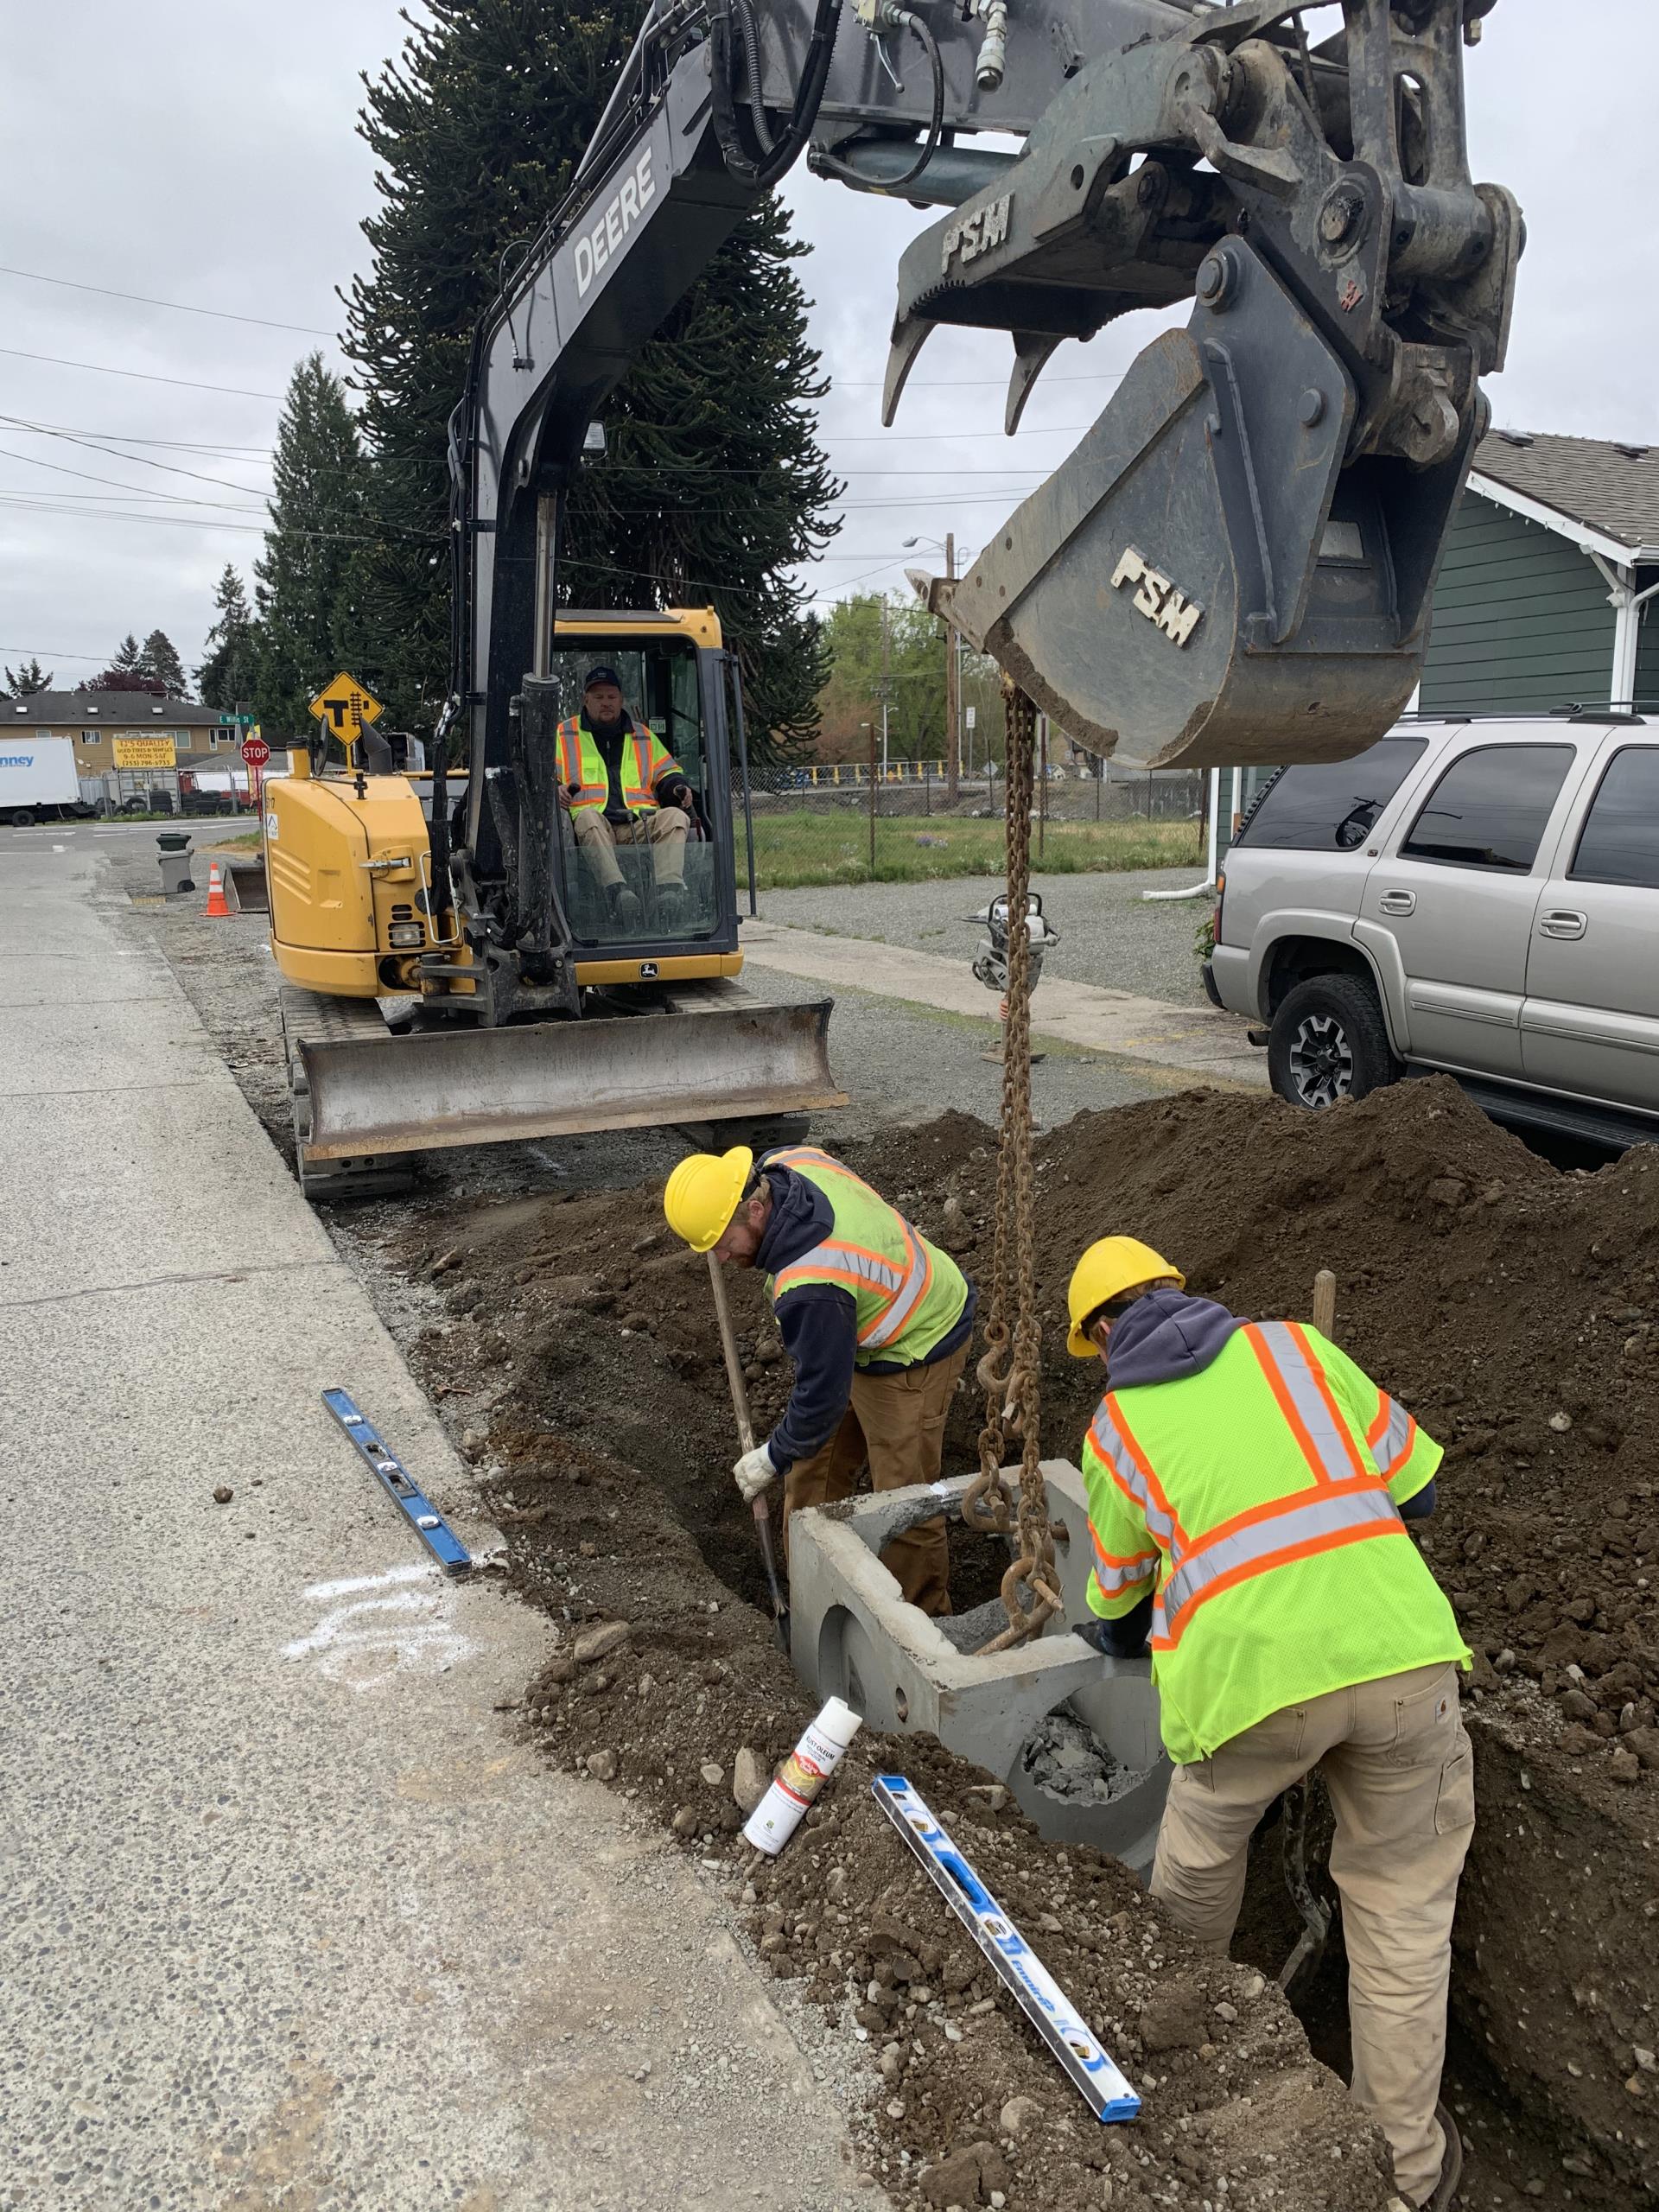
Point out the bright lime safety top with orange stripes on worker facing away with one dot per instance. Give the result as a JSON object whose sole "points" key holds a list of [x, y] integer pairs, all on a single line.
{"points": [[1260, 1501]]}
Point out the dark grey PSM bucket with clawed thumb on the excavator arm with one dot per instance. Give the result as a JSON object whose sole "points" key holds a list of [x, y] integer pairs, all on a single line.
{"points": [[1238, 561]]}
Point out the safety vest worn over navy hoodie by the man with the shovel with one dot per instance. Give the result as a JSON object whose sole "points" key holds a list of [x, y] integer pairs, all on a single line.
{"points": [[908, 1293]]}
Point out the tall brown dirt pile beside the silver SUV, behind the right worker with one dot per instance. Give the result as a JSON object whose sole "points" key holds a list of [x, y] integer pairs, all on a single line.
{"points": [[1514, 1308]]}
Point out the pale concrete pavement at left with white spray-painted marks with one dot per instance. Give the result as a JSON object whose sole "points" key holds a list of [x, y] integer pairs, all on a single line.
{"points": [[291, 1917]]}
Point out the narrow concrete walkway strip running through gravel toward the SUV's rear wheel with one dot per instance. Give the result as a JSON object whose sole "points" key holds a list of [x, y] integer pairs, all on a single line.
{"points": [[1191, 1043]]}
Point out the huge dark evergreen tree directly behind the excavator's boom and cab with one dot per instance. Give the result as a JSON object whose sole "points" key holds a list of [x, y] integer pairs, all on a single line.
{"points": [[713, 486]]}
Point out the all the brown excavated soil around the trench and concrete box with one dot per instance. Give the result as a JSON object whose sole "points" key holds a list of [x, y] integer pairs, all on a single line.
{"points": [[1514, 1306]]}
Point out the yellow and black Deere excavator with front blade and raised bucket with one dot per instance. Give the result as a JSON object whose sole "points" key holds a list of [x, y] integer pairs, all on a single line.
{"points": [[1235, 565]]}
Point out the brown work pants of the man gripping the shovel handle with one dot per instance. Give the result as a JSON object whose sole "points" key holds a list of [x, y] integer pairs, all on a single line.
{"points": [[895, 1423]]}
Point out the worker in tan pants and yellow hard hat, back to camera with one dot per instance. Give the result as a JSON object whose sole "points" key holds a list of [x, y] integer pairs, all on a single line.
{"points": [[1246, 1496]]}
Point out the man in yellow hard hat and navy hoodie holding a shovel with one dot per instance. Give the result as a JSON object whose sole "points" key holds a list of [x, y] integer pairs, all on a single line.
{"points": [[875, 1317]]}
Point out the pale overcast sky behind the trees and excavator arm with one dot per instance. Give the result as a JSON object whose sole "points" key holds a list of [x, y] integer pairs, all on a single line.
{"points": [[205, 152]]}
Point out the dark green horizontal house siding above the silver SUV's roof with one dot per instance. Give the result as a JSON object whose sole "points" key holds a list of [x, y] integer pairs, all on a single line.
{"points": [[1521, 620]]}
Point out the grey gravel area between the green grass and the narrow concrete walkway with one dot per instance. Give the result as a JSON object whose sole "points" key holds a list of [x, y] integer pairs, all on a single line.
{"points": [[1109, 935]]}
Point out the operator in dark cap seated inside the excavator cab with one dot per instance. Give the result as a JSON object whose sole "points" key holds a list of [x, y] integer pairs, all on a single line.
{"points": [[620, 786]]}
